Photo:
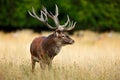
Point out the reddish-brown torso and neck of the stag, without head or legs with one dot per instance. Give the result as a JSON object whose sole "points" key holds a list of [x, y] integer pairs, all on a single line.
{"points": [[45, 46]]}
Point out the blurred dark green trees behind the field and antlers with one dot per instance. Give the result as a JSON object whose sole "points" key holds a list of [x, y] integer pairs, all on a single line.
{"points": [[97, 15]]}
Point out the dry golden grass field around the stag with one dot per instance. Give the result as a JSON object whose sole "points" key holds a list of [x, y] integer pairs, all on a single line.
{"points": [[93, 56]]}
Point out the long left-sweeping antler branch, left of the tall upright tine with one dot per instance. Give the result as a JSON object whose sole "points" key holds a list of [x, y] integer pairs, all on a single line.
{"points": [[41, 18]]}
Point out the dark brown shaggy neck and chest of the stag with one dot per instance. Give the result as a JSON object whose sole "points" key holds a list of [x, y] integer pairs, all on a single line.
{"points": [[51, 46]]}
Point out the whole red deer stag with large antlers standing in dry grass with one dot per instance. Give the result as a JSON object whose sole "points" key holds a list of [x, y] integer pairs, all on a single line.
{"points": [[44, 49]]}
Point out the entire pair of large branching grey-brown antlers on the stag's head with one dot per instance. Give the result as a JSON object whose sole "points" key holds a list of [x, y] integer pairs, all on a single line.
{"points": [[44, 13]]}
